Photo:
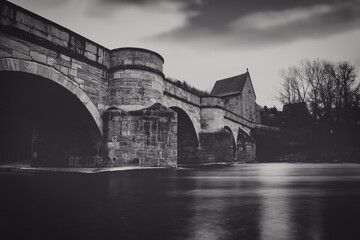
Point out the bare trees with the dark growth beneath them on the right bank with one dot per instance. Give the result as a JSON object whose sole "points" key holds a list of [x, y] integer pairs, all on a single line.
{"points": [[331, 93]]}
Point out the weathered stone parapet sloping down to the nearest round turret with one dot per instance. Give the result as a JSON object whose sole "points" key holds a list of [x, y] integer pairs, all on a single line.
{"points": [[16, 20]]}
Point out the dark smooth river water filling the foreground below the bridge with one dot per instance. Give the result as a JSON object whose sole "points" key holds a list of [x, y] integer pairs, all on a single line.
{"points": [[246, 201]]}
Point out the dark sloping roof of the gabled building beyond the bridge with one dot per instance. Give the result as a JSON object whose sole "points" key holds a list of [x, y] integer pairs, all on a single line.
{"points": [[229, 86]]}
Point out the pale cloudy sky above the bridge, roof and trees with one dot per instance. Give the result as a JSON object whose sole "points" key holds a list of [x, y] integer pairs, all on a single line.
{"points": [[207, 40]]}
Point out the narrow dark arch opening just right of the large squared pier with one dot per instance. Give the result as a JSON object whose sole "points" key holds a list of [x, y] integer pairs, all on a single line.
{"points": [[187, 140]]}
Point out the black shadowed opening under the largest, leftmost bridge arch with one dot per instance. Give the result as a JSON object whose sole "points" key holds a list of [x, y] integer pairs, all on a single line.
{"points": [[43, 121]]}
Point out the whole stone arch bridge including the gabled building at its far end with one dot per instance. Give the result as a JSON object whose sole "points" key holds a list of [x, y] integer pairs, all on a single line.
{"points": [[67, 100]]}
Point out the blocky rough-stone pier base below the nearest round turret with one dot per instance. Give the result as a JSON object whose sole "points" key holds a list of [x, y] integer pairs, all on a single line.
{"points": [[146, 137]]}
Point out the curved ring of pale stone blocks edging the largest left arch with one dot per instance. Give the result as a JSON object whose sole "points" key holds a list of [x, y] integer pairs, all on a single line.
{"points": [[47, 72]]}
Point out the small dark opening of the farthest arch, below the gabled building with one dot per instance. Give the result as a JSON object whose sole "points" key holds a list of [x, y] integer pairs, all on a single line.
{"points": [[245, 147]]}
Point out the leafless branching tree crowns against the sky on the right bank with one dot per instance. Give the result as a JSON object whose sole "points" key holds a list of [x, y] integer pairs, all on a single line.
{"points": [[329, 89]]}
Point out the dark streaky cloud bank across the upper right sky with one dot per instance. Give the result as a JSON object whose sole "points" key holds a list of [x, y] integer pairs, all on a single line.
{"points": [[221, 20]]}
